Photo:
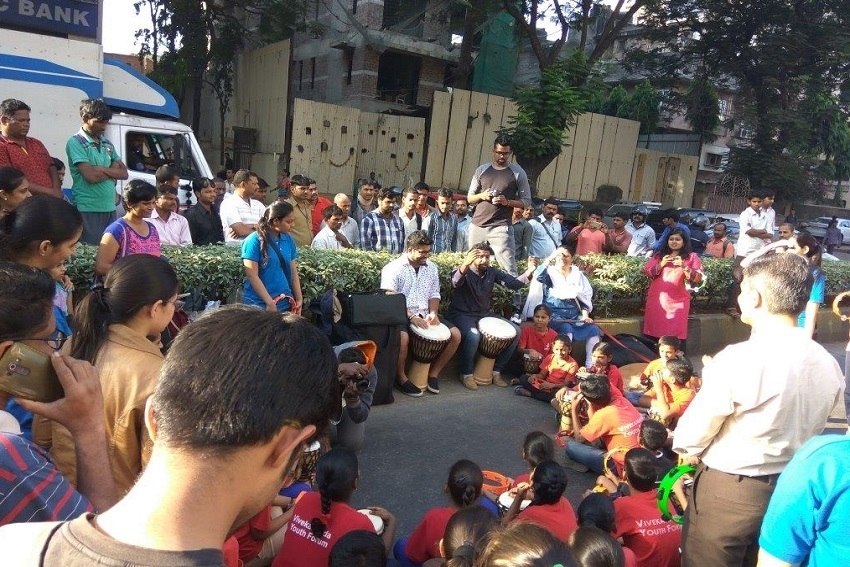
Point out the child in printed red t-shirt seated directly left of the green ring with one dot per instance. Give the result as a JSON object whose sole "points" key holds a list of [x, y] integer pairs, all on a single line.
{"points": [[654, 541]]}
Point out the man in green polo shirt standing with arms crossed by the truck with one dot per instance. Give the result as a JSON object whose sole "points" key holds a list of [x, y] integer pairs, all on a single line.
{"points": [[95, 167]]}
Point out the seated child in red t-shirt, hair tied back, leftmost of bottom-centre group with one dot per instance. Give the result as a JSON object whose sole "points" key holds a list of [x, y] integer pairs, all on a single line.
{"points": [[464, 488]]}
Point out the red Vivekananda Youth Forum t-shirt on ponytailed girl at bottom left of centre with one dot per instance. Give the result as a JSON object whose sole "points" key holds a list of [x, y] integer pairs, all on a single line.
{"points": [[301, 548]]}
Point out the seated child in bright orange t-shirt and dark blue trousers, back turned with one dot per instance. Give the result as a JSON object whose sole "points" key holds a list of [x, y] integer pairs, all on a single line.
{"points": [[613, 421]]}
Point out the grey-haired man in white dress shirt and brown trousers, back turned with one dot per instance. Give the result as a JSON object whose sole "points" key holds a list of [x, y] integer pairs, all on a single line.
{"points": [[760, 401]]}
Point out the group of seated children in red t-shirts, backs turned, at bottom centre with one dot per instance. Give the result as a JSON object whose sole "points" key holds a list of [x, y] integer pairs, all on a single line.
{"points": [[624, 523]]}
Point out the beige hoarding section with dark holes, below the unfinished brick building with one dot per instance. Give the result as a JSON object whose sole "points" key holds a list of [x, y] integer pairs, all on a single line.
{"points": [[335, 145]]}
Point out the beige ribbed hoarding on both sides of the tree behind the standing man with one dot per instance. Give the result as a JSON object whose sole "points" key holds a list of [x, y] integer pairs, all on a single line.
{"points": [[601, 148]]}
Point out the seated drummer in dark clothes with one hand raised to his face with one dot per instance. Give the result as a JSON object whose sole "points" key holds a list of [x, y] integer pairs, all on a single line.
{"points": [[472, 300]]}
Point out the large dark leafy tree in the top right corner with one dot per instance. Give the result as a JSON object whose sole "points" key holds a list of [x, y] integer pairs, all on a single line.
{"points": [[775, 56]]}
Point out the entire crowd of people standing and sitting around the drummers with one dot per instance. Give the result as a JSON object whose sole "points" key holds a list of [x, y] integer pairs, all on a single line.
{"points": [[115, 451]]}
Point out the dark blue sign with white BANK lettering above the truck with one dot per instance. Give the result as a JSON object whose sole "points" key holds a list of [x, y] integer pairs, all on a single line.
{"points": [[74, 17]]}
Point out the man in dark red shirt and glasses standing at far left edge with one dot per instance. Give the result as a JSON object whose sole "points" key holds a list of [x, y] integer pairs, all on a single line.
{"points": [[22, 152]]}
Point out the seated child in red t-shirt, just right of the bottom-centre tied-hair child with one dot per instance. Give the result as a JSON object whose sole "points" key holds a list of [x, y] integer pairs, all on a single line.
{"points": [[548, 509]]}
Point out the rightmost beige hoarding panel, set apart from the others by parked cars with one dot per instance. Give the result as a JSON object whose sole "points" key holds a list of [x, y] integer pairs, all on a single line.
{"points": [[663, 177]]}
